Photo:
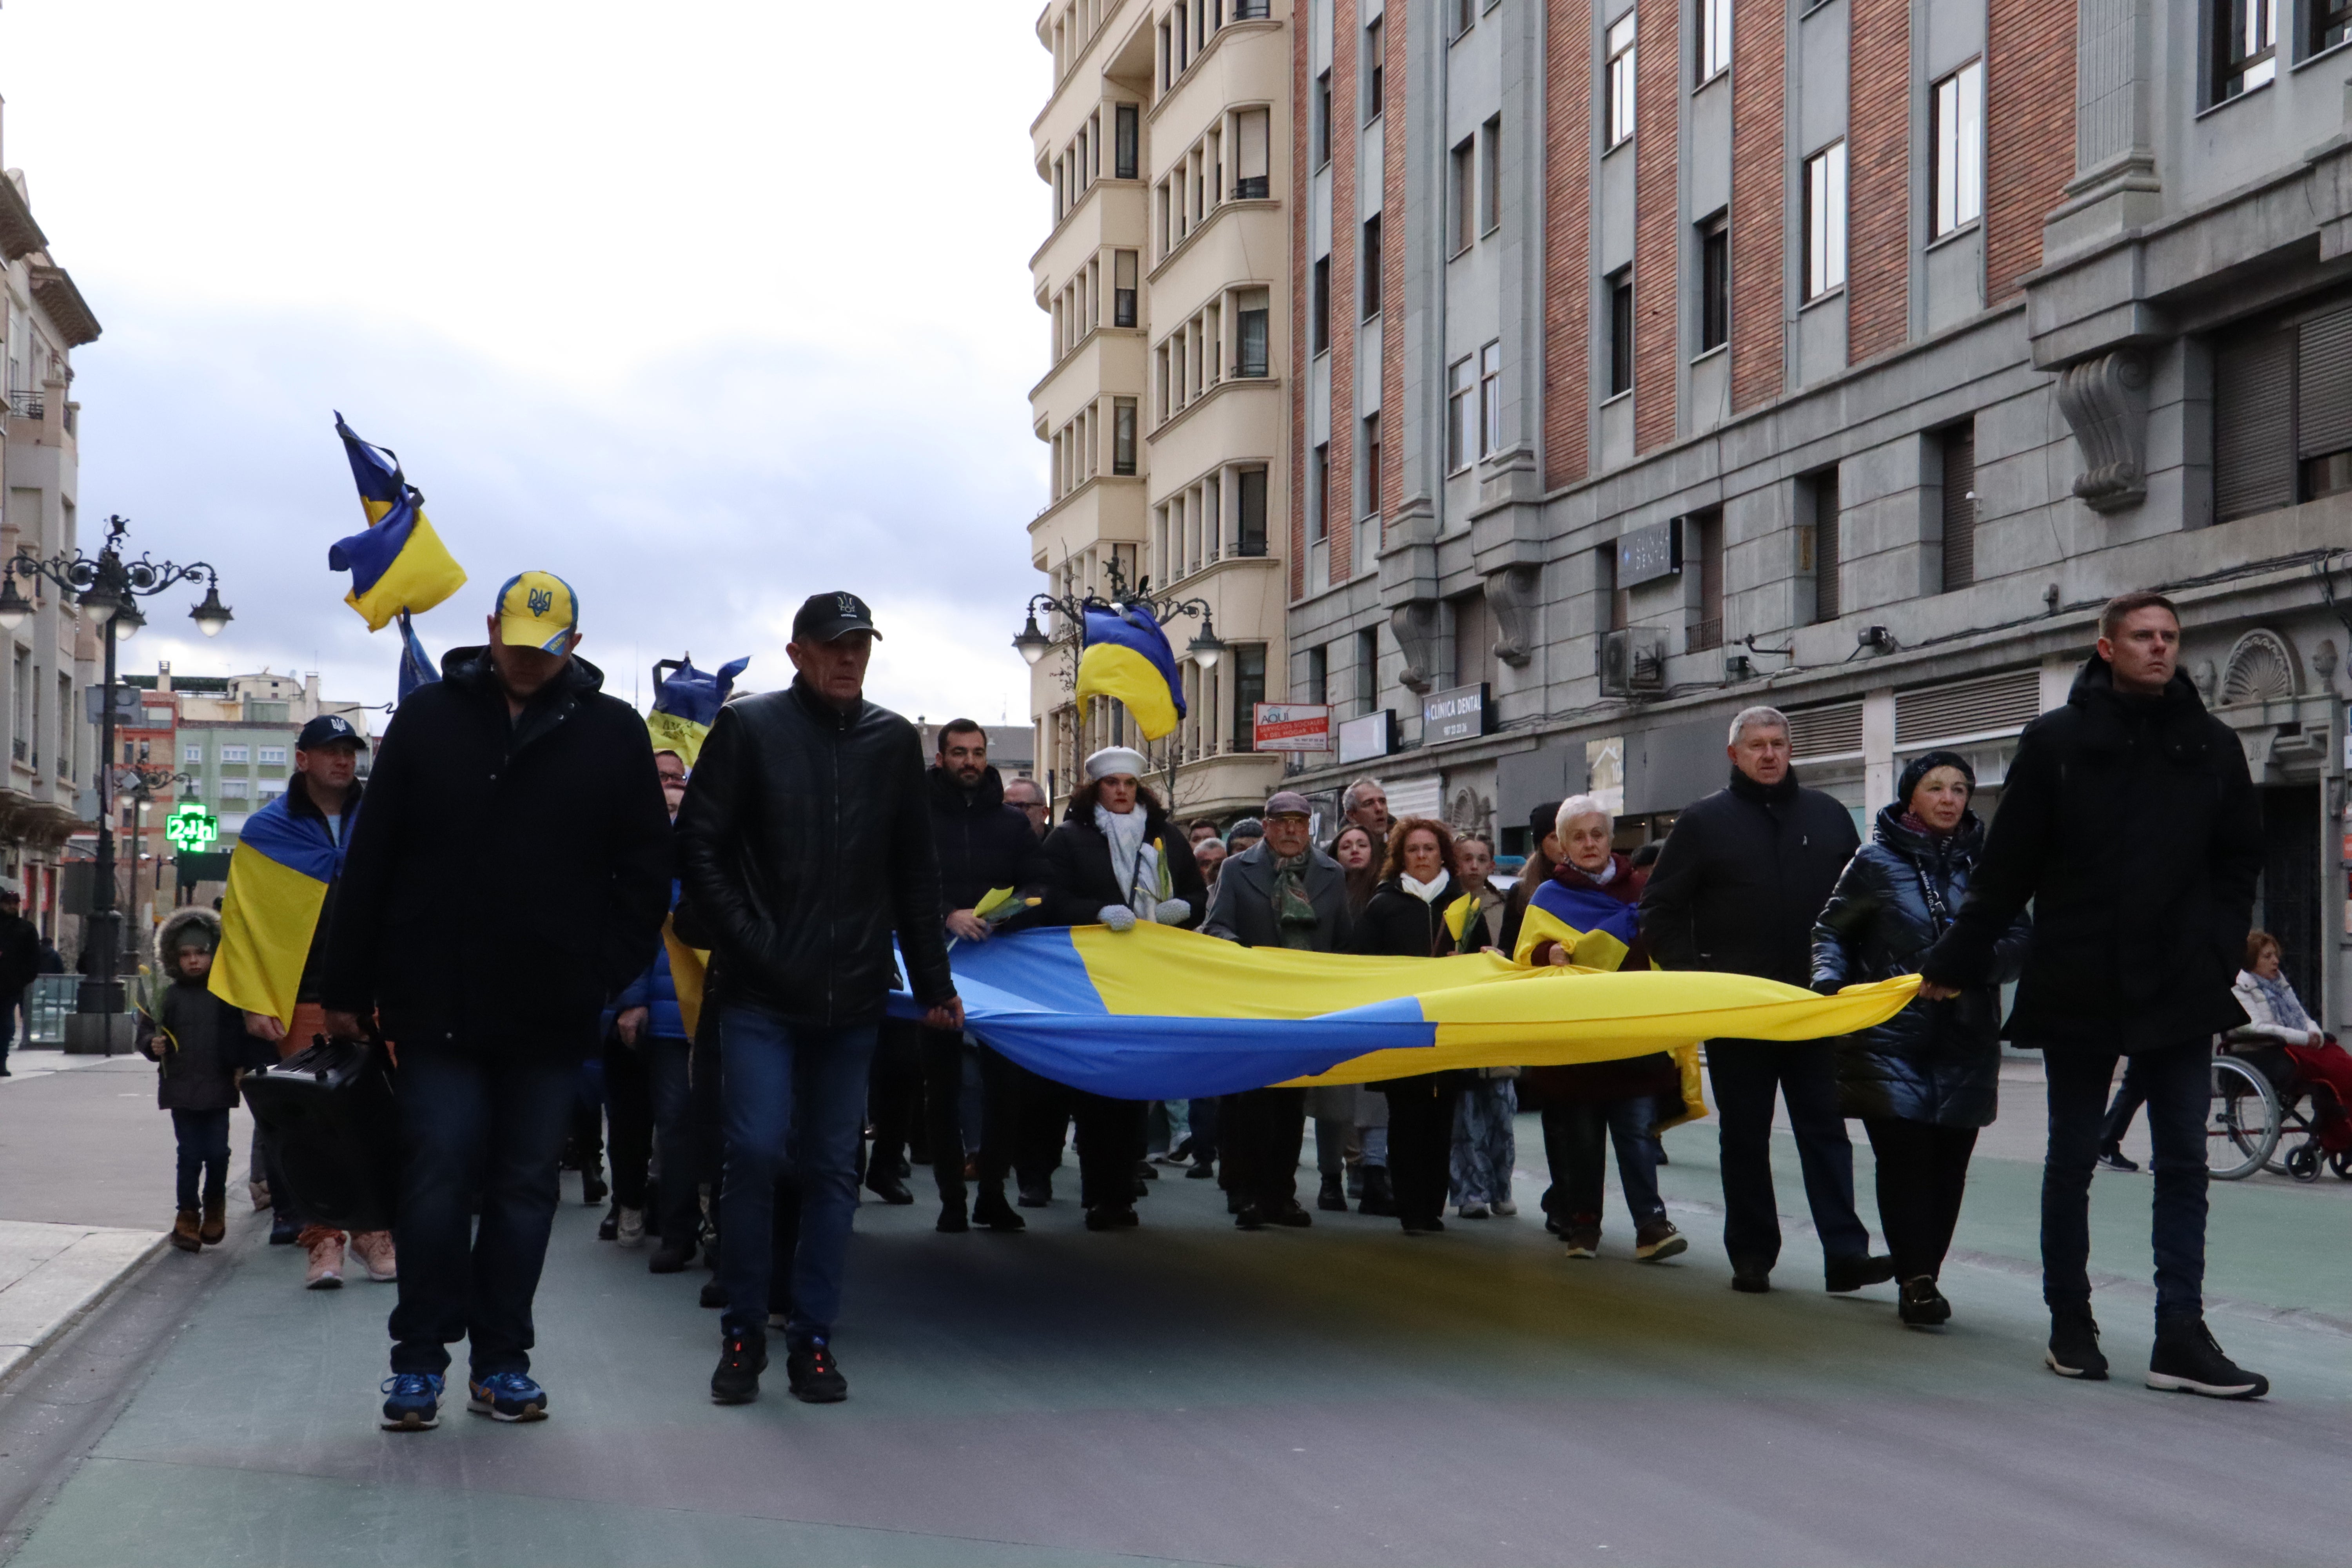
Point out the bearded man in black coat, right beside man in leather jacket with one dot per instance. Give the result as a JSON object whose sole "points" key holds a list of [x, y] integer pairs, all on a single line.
{"points": [[984, 845]]}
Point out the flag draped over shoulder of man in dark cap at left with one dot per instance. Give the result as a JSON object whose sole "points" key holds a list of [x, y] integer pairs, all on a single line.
{"points": [[276, 887]]}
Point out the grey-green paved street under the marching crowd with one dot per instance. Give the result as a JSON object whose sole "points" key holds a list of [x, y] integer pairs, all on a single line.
{"points": [[1194, 1395]]}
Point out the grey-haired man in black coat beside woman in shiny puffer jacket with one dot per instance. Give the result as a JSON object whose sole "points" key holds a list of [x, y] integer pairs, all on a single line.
{"points": [[1737, 890]]}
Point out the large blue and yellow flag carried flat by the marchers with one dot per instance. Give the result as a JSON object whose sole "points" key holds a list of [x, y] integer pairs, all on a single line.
{"points": [[1165, 1014]]}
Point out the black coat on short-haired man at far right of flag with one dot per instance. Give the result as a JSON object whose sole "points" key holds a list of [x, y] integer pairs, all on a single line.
{"points": [[2137, 833]]}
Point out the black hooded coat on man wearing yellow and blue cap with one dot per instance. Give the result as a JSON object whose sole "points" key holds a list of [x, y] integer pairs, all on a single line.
{"points": [[509, 873]]}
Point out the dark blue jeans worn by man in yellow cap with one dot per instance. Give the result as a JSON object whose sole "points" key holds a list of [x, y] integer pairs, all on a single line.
{"points": [[476, 1125]]}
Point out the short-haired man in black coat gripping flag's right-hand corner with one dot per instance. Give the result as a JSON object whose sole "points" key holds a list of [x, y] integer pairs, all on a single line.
{"points": [[2132, 826]]}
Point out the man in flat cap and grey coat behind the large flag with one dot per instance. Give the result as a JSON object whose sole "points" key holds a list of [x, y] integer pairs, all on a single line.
{"points": [[1281, 892]]}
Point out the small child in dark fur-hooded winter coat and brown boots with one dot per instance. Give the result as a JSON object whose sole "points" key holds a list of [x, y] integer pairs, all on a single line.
{"points": [[201, 1047]]}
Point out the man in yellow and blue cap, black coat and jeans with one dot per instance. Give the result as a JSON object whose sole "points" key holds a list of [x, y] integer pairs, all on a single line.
{"points": [[507, 878]]}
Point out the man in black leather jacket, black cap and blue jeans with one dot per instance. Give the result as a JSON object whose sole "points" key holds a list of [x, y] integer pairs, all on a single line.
{"points": [[803, 845]]}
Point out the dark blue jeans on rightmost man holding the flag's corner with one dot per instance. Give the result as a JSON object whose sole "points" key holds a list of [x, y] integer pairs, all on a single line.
{"points": [[2179, 1087]]}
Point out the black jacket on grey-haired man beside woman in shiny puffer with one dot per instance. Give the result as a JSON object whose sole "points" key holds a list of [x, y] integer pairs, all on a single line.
{"points": [[1742, 878]]}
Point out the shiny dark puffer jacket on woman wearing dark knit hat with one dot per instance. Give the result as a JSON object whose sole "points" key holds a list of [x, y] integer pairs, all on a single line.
{"points": [[1935, 1061]]}
